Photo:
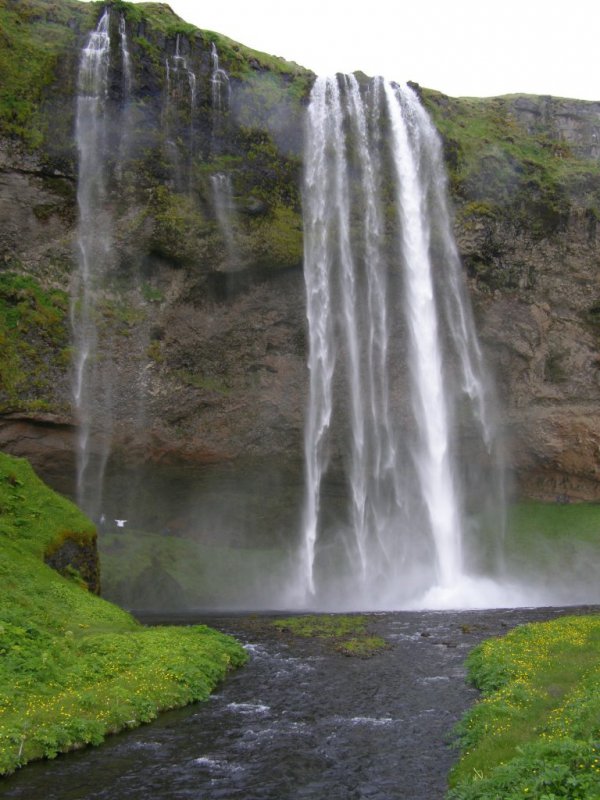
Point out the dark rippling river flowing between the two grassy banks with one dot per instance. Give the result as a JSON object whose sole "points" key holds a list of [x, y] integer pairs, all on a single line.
{"points": [[299, 721]]}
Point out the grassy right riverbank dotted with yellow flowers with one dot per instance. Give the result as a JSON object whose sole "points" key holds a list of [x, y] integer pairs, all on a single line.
{"points": [[536, 732]]}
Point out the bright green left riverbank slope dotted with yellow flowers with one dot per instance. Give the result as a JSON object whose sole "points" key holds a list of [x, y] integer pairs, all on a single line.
{"points": [[73, 667]]}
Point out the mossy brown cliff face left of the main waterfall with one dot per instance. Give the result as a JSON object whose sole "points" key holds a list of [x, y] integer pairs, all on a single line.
{"points": [[201, 313]]}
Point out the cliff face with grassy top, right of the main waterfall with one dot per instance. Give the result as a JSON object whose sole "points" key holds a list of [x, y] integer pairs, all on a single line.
{"points": [[525, 178]]}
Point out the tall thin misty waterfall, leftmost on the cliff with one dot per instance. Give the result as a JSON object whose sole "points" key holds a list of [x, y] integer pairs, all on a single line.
{"points": [[101, 139]]}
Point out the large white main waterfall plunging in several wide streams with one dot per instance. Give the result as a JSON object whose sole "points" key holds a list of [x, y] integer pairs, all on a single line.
{"points": [[403, 477]]}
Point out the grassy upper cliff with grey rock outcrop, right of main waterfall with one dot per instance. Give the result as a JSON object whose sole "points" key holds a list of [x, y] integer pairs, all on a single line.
{"points": [[529, 157]]}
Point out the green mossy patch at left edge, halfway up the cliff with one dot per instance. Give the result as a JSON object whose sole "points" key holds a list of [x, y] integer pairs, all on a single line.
{"points": [[34, 339]]}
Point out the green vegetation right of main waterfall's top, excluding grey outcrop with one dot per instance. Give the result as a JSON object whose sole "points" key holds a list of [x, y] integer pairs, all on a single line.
{"points": [[498, 165]]}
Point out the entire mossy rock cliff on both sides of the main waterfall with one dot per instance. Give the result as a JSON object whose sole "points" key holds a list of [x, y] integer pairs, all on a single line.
{"points": [[203, 313]]}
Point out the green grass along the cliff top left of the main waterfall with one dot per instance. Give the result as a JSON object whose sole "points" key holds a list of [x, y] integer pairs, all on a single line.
{"points": [[40, 42]]}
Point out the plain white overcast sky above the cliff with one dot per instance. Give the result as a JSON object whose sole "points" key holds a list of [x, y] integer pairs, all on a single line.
{"points": [[461, 47]]}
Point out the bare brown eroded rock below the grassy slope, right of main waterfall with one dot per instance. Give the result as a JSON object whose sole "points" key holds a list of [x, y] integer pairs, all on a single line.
{"points": [[542, 342]]}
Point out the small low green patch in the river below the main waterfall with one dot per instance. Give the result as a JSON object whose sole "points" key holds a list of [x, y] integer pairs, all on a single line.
{"points": [[347, 633]]}
